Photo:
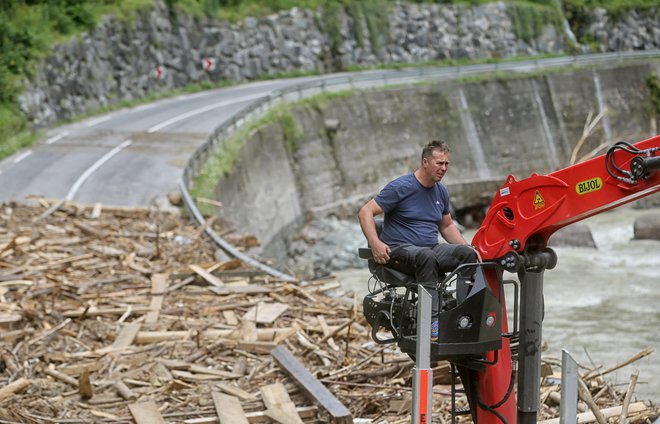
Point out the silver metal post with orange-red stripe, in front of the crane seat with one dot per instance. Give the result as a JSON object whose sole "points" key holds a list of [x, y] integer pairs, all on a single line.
{"points": [[422, 373]]}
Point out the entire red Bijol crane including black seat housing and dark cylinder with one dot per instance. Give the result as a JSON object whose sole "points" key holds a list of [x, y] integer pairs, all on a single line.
{"points": [[474, 333]]}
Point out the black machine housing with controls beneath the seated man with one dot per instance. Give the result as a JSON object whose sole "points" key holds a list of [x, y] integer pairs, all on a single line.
{"points": [[470, 322]]}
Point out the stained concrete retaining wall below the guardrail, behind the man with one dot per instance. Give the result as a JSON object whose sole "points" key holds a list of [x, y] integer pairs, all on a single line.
{"points": [[495, 128]]}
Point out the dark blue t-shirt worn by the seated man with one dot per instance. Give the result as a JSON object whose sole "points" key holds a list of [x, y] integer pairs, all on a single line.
{"points": [[412, 212]]}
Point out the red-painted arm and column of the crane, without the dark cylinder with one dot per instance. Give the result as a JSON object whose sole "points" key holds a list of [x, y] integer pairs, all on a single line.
{"points": [[525, 213]]}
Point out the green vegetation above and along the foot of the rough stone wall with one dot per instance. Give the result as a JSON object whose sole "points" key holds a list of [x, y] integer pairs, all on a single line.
{"points": [[29, 28]]}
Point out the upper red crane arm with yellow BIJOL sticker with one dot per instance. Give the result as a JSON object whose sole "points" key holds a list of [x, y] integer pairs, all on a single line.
{"points": [[536, 207]]}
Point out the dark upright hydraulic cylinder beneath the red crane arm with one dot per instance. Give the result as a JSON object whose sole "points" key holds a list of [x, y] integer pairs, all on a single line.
{"points": [[529, 358]]}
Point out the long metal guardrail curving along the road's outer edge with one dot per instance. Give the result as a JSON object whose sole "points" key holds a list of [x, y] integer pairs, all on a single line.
{"points": [[363, 79]]}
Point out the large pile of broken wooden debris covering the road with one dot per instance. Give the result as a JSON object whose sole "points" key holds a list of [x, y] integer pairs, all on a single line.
{"points": [[124, 315]]}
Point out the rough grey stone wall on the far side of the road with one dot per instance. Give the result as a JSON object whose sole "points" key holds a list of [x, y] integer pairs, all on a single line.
{"points": [[124, 59]]}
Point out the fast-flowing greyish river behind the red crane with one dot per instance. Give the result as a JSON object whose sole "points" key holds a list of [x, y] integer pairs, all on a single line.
{"points": [[602, 305]]}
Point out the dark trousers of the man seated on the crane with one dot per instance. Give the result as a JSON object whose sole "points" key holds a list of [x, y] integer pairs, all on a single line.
{"points": [[429, 265]]}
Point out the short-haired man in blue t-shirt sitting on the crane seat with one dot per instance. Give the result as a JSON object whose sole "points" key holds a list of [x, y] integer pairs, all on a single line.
{"points": [[416, 208]]}
